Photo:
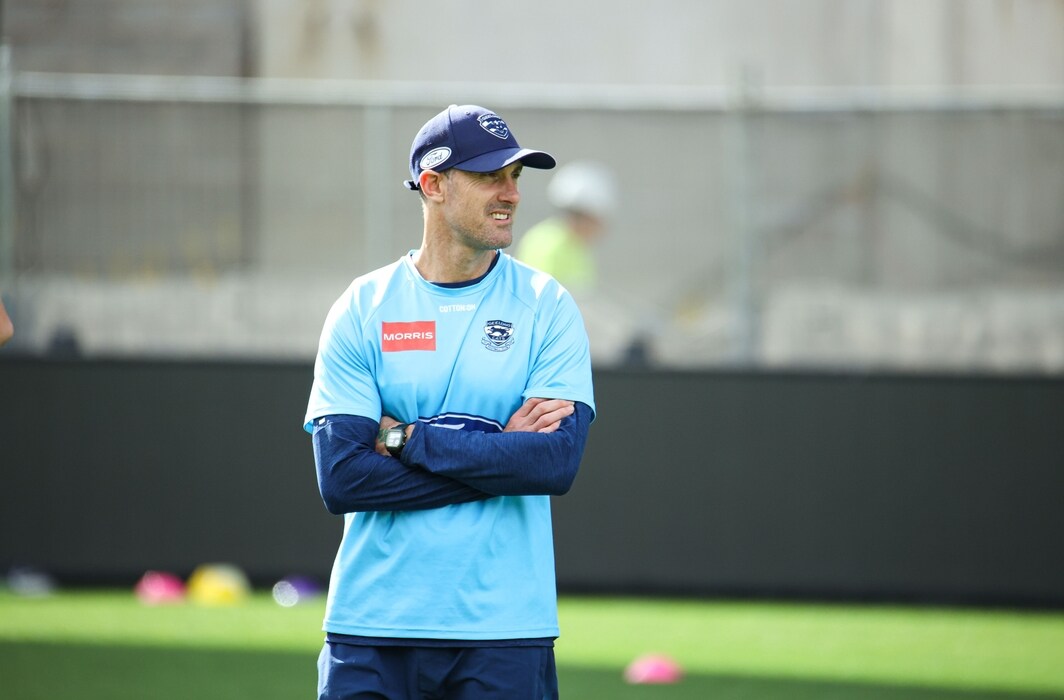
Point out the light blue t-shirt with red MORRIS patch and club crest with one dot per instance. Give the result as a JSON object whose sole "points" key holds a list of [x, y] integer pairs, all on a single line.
{"points": [[463, 359]]}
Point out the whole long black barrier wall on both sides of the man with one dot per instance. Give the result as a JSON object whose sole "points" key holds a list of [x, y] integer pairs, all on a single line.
{"points": [[934, 489]]}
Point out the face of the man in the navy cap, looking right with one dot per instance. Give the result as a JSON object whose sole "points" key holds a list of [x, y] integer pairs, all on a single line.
{"points": [[480, 207]]}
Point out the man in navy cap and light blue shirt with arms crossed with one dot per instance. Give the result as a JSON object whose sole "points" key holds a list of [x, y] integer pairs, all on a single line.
{"points": [[452, 398]]}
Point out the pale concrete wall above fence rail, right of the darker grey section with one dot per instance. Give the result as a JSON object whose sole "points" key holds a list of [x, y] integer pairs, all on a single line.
{"points": [[819, 43]]}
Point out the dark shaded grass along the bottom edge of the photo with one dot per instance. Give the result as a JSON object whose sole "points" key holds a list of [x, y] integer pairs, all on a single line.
{"points": [[40, 671]]}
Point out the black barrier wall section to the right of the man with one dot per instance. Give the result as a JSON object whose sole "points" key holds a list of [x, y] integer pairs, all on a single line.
{"points": [[935, 489]]}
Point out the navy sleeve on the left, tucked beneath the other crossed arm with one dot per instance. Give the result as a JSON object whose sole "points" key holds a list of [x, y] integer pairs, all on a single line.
{"points": [[353, 477]]}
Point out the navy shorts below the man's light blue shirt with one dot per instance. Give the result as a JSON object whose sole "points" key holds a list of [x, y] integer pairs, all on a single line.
{"points": [[357, 673]]}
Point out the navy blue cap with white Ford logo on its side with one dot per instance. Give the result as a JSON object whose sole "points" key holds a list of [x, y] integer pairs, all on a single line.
{"points": [[472, 139]]}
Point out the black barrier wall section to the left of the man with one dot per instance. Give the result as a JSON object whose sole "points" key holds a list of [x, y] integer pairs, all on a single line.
{"points": [[111, 469]]}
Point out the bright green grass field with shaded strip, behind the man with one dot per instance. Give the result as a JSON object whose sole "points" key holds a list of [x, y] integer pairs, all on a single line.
{"points": [[107, 645]]}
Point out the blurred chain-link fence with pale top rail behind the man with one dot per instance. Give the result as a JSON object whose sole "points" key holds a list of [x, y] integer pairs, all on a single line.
{"points": [[212, 218]]}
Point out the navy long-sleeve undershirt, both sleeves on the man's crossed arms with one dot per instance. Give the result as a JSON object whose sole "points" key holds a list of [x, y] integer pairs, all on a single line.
{"points": [[441, 466]]}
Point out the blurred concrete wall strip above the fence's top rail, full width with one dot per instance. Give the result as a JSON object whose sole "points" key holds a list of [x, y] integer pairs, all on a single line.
{"points": [[804, 43]]}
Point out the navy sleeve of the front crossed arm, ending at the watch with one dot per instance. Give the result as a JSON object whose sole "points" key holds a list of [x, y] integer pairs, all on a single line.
{"points": [[505, 464]]}
